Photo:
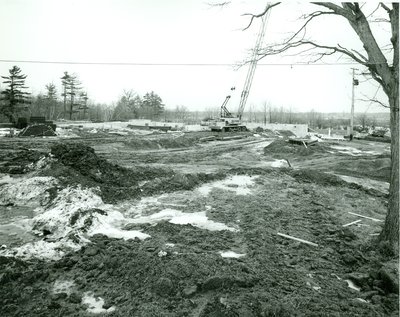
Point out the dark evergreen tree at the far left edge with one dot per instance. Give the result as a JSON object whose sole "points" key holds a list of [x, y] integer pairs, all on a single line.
{"points": [[15, 97]]}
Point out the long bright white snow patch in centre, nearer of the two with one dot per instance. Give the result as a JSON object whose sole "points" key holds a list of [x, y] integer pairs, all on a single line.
{"points": [[197, 219]]}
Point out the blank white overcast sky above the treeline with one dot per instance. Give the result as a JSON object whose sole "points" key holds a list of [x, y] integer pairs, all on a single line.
{"points": [[156, 35]]}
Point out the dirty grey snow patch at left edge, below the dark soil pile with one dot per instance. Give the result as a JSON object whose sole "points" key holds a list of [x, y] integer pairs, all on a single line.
{"points": [[26, 191]]}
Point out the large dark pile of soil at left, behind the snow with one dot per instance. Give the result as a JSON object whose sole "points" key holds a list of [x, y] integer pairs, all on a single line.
{"points": [[77, 163]]}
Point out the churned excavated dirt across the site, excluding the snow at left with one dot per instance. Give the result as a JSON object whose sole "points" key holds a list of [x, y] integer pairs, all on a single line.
{"points": [[179, 270]]}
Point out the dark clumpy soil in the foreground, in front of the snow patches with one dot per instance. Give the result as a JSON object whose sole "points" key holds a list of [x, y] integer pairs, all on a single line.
{"points": [[278, 277]]}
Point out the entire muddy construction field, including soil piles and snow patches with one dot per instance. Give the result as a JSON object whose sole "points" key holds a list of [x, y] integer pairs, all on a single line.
{"points": [[193, 224]]}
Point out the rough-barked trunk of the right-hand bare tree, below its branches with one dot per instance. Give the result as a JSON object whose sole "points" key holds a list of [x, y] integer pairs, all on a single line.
{"points": [[391, 231]]}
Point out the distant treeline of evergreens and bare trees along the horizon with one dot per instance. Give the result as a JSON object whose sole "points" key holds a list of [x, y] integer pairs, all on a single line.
{"points": [[72, 102]]}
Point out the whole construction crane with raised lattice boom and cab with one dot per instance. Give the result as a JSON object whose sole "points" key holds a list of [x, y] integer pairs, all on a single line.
{"points": [[227, 121]]}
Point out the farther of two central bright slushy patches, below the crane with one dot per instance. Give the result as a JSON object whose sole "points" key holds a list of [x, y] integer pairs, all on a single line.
{"points": [[240, 184]]}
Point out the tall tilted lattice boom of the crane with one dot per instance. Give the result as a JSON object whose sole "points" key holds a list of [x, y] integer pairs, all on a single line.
{"points": [[252, 68]]}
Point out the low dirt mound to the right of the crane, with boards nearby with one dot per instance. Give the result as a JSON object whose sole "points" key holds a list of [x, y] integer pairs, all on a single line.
{"points": [[282, 148]]}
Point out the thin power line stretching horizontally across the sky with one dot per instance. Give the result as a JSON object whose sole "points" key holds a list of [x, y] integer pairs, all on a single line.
{"points": [[170, 64]]}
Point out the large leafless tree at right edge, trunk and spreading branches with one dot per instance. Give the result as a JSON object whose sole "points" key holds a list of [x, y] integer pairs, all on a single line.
{"points": [[373, 58]]}
